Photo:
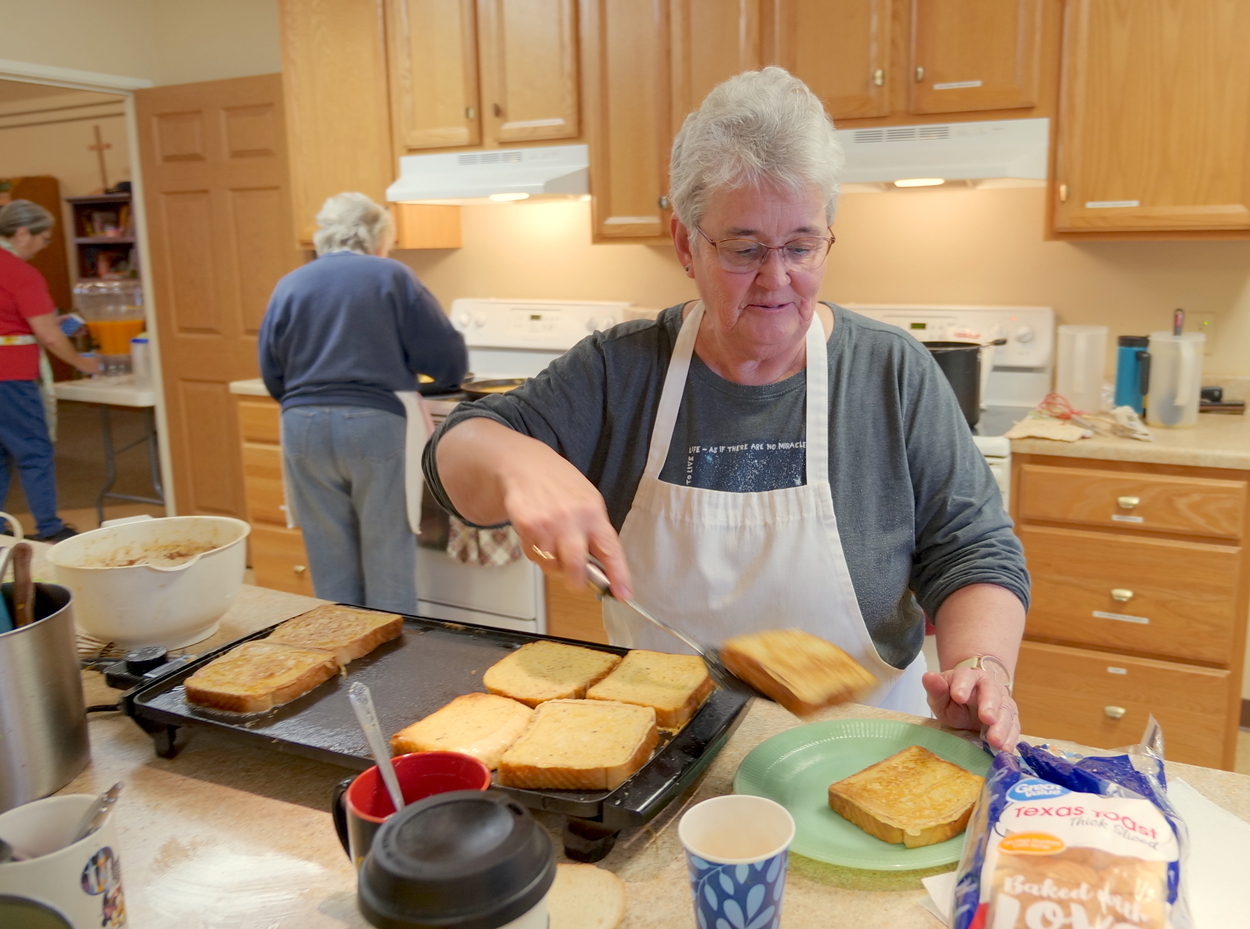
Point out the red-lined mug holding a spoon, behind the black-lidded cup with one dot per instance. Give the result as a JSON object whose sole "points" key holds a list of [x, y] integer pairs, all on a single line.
{"points": [[362, 805]]}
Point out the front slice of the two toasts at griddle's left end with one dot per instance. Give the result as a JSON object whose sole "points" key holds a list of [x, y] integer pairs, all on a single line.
{"points": [[259, 676]]}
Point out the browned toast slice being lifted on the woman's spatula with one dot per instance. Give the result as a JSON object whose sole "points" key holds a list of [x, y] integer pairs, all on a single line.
{"points": [[798, 670]]}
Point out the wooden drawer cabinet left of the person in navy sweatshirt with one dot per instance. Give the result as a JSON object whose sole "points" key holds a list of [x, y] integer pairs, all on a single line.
{"points": [[278, 557]]}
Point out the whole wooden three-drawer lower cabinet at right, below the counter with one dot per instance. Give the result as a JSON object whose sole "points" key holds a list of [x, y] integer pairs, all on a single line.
{"points": [[1139, 603]]}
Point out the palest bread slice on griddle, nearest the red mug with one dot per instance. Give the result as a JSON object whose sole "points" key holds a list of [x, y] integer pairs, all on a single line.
{"points": [[482, 726]]}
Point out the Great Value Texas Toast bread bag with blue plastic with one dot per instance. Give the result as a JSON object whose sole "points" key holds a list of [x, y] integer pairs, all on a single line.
{"points": [[1062, 841]]}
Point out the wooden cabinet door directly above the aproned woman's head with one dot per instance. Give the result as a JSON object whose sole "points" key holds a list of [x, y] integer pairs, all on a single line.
{"points": [[838, 48]]}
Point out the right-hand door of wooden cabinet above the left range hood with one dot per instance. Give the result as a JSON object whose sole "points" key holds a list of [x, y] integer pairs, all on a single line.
{"points": [[529, 69]]}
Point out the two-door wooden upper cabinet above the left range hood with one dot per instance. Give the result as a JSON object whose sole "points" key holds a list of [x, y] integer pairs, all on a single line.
{"points": [[493, 72]]}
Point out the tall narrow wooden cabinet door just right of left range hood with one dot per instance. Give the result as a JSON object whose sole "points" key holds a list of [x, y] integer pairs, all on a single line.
{"points": [[626, 57]]}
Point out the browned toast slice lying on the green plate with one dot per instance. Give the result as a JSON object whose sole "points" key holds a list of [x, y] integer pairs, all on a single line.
{"points": [[912, 798]]}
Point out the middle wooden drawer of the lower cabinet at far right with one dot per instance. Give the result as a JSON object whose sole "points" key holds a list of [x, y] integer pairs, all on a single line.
{"points": [[1172, 600]]}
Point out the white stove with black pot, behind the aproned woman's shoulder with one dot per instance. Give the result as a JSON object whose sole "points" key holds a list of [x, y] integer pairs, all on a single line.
{"points": [[1016, 377]]}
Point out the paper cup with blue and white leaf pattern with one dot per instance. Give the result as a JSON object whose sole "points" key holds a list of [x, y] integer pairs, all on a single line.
{"points": [[737, 850]]}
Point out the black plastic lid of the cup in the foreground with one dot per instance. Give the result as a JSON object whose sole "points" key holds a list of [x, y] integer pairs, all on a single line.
{"points": [[467, 860]]}
